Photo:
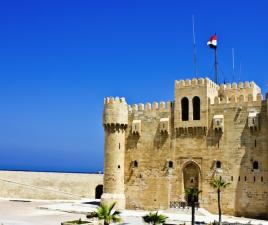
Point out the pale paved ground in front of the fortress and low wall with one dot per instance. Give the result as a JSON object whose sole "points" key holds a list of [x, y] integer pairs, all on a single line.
{"points": [[54, 212]]}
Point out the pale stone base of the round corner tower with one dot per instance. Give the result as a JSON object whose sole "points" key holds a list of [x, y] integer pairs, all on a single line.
{"points": [[119, 199]]}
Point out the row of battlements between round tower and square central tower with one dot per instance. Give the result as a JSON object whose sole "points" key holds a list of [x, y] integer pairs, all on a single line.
{"points": [[155, 106]]}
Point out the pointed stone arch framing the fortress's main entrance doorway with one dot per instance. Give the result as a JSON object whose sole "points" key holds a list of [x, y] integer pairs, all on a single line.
{"points": [[191, 176]]}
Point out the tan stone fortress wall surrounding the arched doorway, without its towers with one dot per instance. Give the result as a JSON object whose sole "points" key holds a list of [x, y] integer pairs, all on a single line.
{"points": [[152, 185]]}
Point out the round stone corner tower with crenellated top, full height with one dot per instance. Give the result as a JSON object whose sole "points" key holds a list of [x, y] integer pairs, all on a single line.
{"points": [[115, 120]]}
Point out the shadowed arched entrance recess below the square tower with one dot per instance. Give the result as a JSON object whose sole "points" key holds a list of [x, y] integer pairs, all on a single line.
{"points": [[191, 177]]}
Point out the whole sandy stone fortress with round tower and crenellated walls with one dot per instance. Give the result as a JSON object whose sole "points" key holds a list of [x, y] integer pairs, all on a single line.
{"points": [[153, 152]]}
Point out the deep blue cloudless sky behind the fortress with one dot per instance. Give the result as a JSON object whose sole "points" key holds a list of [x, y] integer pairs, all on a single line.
{"points": [[59, 59]]}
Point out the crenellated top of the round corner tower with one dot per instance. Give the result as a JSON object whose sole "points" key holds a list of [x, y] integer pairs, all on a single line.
{"points": [[115, 111]]}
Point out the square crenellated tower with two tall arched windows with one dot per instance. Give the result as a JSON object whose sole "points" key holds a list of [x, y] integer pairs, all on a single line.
{"points": [[192, 99]]}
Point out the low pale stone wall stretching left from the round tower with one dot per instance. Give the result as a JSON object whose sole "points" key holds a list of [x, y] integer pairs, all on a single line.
{"points": [[48, 185]]}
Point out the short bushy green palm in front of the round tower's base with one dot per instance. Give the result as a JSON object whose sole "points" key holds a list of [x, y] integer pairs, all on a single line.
{"points": [[104, 212]]}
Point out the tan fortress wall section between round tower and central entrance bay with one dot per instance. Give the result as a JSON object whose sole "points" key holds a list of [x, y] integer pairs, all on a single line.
{"points": [[146, 184]]}
